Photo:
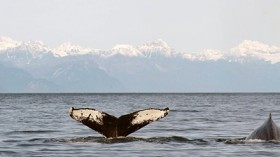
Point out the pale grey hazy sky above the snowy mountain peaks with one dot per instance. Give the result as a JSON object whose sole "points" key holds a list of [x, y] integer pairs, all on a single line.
{"points": [[186, 25]]}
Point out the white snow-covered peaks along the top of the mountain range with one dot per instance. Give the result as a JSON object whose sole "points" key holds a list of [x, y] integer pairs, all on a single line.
{"points": [[246, 49]]}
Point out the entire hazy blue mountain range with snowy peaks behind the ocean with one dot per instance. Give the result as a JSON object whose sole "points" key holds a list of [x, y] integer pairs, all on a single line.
{"points": [[31, 67]]}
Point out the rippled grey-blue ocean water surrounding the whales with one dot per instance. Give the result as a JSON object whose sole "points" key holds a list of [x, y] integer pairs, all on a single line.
{"points": [[197, 125]]}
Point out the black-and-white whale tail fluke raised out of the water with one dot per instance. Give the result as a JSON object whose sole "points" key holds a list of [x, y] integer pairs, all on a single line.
{"points": [[110, 126]]}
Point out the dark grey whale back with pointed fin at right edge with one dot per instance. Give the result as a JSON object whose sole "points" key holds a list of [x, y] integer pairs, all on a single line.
{"points": [[267, 131]]}
